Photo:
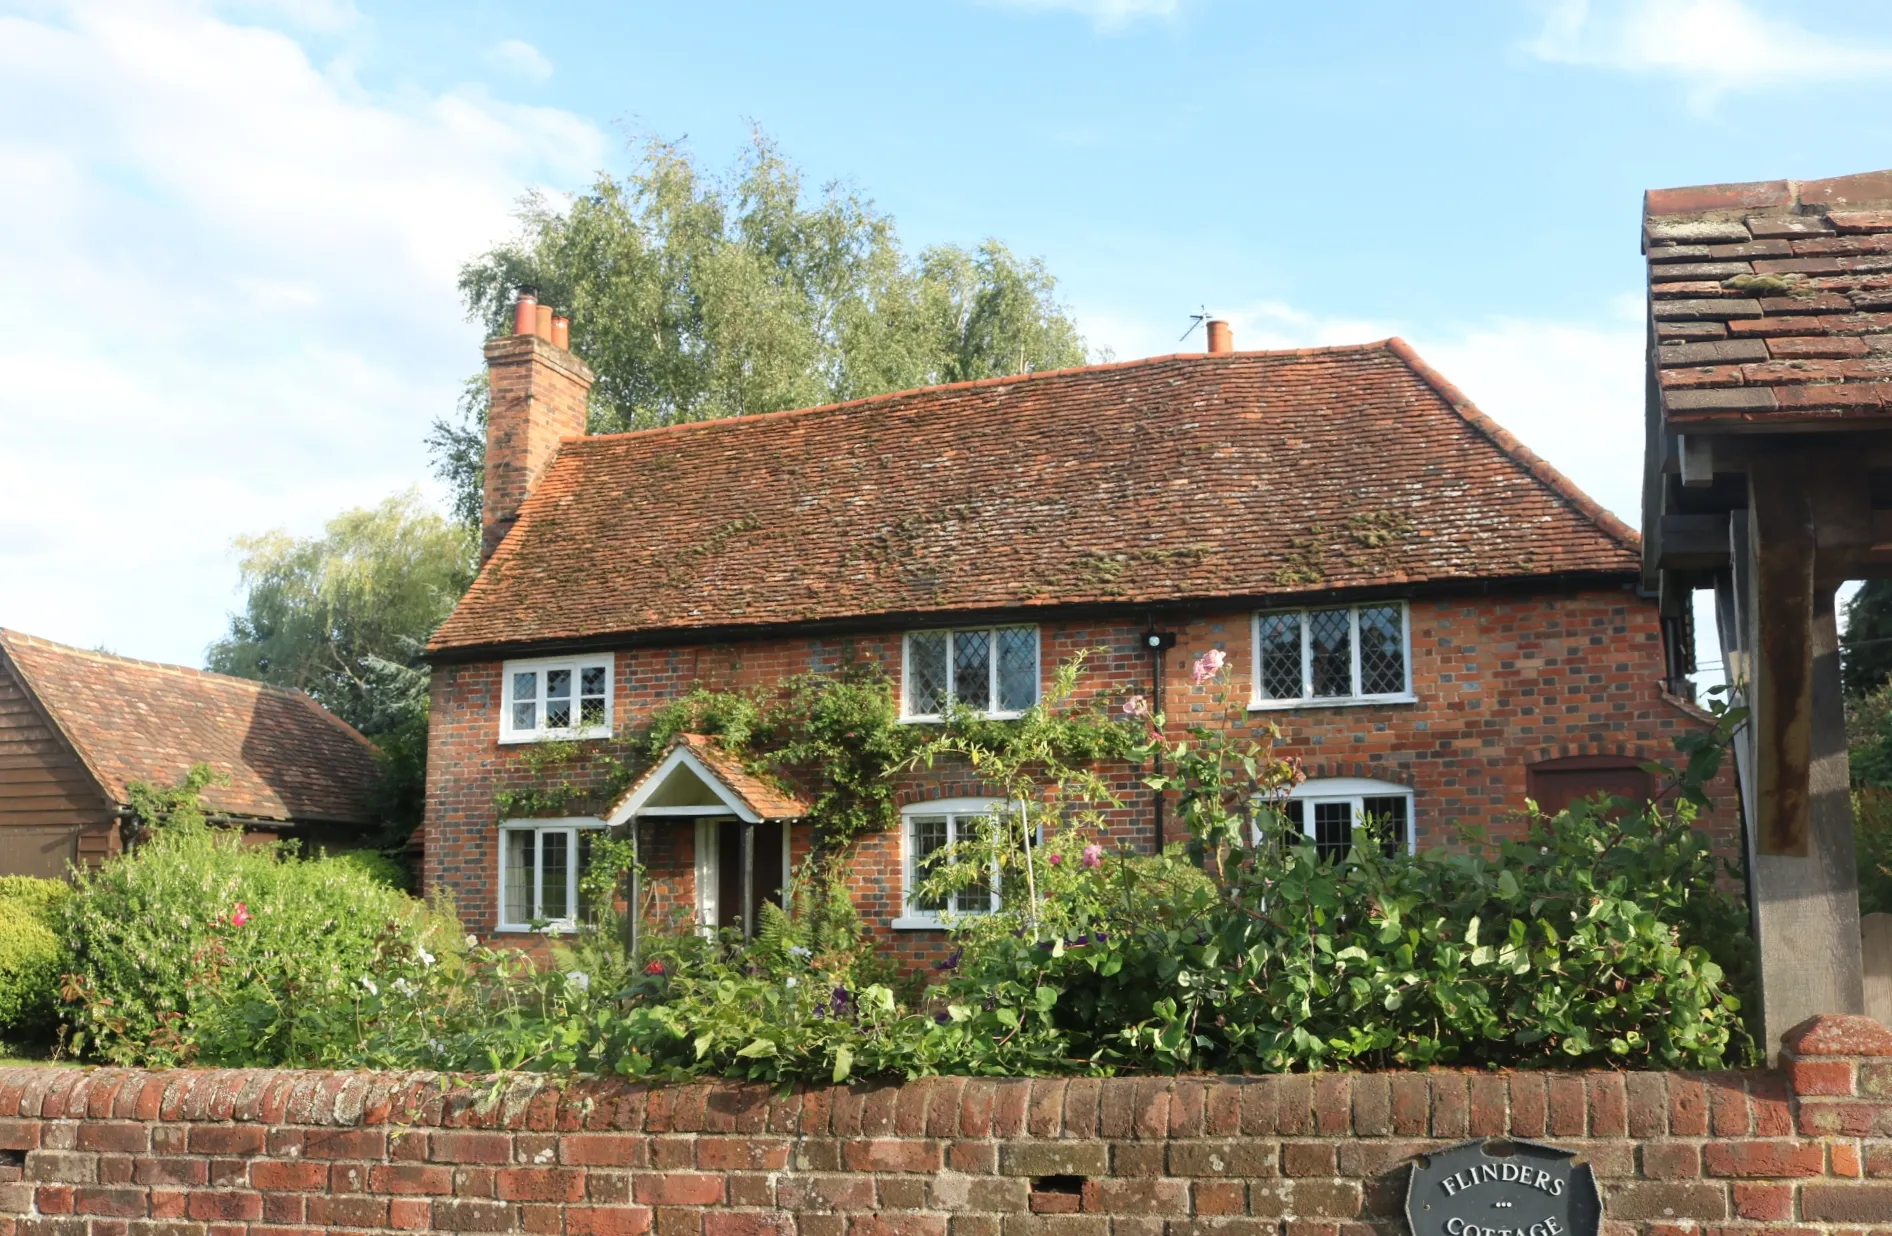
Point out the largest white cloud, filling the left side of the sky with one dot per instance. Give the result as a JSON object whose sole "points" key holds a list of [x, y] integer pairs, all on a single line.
{"points": [[230, 300]]}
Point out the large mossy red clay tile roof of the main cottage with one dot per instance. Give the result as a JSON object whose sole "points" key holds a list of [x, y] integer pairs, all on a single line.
{"points": [[1176, 478]]}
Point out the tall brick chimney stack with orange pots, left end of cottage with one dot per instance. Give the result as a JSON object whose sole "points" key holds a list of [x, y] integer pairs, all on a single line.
{"points": [[538, 398]]}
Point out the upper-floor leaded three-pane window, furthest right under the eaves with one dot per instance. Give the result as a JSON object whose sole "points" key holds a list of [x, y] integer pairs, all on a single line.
{"points": [[1342, 656]]}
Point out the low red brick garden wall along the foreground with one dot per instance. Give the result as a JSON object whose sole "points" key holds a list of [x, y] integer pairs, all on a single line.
{"points": [[222, 1154]]}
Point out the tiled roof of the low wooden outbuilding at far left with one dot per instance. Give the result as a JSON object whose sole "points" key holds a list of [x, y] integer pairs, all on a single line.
{"points": [[143, 722]]}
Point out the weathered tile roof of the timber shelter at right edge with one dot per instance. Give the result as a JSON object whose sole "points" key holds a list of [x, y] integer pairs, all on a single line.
{"points": [[1772, 302]]}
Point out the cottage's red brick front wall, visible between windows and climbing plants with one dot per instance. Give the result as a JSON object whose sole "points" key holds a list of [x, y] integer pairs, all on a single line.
{"points": [[1501, 682]]}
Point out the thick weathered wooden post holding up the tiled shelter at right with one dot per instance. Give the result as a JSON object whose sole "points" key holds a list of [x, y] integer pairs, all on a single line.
{"points": [[1793, 756]]}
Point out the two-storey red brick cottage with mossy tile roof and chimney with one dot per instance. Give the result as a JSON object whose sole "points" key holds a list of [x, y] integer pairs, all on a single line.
{"points": [[1435, 618]]}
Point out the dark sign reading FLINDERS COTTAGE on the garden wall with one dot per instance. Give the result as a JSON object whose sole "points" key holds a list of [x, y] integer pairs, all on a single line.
{"points": [[1503, 1190]]}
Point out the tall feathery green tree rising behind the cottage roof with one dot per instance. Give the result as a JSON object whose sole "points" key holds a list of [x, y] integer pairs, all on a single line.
{"points": [[699, 296]]}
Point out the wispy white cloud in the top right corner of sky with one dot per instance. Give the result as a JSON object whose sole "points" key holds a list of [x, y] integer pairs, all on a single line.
{"points": [[1715, 46]]}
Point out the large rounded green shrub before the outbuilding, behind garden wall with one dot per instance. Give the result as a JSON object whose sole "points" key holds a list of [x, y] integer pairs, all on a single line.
{"points": [[198, 947]]}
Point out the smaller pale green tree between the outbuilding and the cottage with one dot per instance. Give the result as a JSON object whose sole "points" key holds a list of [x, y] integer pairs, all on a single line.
{"points": [[345, 616]]}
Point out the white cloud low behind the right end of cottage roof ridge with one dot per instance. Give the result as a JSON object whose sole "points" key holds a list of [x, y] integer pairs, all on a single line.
{"points": [[1569, 391]]}
